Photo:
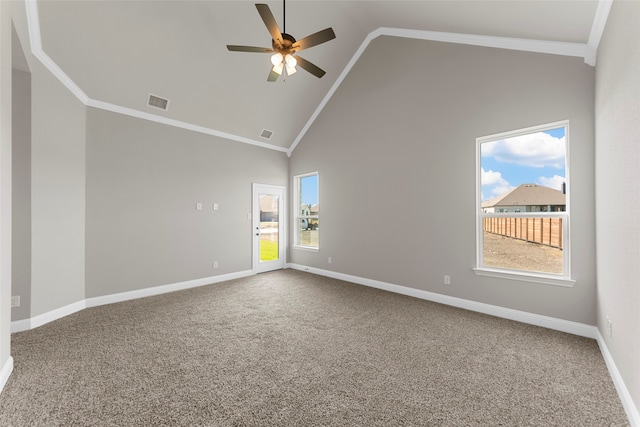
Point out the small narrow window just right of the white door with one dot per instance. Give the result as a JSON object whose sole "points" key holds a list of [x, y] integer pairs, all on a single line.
{"points": [[307, 210]]}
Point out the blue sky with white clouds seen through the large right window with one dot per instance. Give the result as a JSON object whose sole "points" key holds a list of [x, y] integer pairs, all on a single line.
{"points": [[537, 158]]}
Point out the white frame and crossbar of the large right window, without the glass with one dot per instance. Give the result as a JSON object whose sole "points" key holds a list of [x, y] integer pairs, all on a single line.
{"points": [[480, 269]]}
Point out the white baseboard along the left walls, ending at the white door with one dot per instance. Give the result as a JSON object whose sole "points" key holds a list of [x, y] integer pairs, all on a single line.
{"points": [[50, 316]]}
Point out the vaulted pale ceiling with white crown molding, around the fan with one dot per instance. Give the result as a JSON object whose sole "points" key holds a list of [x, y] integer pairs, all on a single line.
{"points": [[113, 54]]}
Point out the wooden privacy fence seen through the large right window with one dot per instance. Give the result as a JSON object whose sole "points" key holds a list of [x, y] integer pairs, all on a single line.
{"points": [[546, 231]]}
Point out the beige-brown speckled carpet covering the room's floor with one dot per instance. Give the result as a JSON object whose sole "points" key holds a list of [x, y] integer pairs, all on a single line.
{"points": [[293, 349]]}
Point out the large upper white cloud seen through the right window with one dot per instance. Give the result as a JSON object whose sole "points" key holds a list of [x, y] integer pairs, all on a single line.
{"points": [[535, 150]]}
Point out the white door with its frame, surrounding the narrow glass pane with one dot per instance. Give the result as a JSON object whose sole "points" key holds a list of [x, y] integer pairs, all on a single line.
{"points": [[257, 265]]}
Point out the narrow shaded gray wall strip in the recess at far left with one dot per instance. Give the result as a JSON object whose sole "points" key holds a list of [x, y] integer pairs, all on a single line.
{"points": [[21, 194]]}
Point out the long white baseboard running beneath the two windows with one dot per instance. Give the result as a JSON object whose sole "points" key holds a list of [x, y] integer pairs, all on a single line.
{"points": [[570, 327]]}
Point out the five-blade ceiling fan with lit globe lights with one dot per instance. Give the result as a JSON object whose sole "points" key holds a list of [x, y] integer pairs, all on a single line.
{"points": [[284, 46]]}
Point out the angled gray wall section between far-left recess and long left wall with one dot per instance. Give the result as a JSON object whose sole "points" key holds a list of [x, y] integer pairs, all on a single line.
{"points": [[57, 194]]}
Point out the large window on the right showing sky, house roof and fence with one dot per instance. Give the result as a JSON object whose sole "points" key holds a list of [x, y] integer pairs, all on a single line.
{"points": [[523, 205]]}
